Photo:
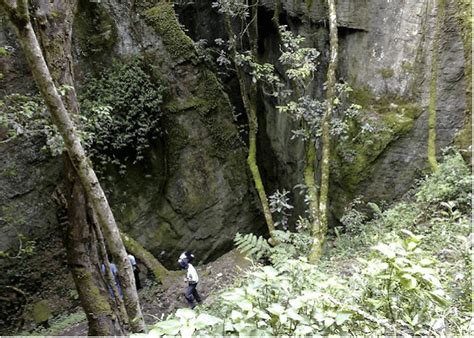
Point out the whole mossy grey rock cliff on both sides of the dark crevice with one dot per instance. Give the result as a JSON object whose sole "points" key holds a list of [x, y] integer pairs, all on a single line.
{"points": [[193, 191]]}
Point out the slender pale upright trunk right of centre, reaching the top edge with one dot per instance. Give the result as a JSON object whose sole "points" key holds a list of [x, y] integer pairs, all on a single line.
{"points": [[320, 228]]}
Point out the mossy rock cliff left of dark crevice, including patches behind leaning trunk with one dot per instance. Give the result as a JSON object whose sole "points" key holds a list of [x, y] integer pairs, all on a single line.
{"points": [[192, 191]]}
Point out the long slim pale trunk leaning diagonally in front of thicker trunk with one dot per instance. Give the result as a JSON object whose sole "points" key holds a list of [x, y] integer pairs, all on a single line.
{"points": [[20, 18]]}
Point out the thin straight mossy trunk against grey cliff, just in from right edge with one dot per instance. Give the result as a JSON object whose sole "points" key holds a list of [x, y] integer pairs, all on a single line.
{"points": [[440, 8]]}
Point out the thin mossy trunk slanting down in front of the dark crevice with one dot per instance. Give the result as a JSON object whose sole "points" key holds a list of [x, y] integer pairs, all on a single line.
{"points": [[249, 92]]}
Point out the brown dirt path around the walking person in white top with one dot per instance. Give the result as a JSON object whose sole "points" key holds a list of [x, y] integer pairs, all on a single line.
{"points": [[158, 301]]}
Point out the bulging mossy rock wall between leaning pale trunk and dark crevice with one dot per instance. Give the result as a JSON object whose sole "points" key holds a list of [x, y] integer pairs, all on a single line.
{"points": [[192, 191]]}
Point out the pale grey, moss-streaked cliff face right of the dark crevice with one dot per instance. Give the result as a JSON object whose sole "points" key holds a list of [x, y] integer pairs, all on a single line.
{"points": [[385, 56]]}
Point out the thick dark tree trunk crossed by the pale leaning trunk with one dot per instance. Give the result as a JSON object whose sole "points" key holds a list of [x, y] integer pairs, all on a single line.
{"points": [[55, 33]]}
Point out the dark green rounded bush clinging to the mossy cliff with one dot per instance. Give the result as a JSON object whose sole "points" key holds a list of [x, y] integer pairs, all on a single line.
{"points": [[121, 113]]}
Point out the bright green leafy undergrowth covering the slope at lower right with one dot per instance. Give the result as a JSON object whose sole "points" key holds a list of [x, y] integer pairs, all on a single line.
{"points": [[405, 271]]}
